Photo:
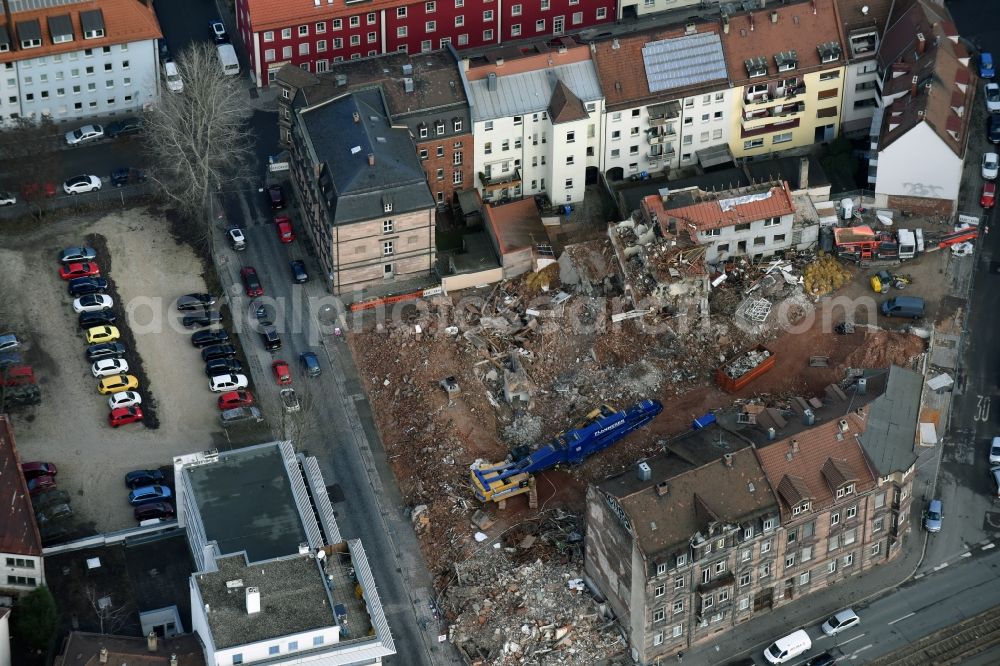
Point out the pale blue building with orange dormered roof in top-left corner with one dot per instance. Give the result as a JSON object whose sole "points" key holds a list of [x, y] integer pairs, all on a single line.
{"points": [[73, 59]]}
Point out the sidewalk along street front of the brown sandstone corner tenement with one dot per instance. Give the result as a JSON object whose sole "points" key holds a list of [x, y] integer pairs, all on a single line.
{"points": [[752, 637]]}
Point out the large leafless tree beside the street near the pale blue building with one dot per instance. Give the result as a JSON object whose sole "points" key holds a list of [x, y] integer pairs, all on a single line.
{"points": [[199, 138]]}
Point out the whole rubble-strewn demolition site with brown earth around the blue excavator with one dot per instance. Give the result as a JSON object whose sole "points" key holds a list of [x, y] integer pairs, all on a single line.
{"points": [[481, 396]]}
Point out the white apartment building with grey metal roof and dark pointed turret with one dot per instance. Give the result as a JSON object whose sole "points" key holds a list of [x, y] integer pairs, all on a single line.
{"points": [[536, 121]]}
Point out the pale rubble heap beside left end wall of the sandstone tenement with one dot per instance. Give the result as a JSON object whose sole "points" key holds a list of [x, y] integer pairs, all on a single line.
{"points": [[507, 606]]}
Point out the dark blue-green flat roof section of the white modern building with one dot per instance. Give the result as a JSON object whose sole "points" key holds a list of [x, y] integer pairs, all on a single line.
{"points": [[246, 504]]}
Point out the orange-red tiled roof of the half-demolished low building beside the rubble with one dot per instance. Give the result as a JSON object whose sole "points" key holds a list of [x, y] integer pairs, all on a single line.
{"points": [[731, 208]]}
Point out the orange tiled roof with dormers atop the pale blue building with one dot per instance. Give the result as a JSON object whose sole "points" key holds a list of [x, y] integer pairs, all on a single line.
{"points": [[124, 21]]}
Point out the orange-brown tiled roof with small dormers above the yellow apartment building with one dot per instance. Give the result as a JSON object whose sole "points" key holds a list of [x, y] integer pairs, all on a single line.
{"points": [[754, 34]]}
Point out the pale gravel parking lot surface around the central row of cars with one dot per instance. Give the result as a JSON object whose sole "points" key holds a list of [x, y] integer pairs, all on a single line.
{"points": [[149, 270]]}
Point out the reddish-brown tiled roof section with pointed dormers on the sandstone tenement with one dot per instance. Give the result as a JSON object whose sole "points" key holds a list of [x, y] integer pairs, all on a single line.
{"points": [[823, 458]]}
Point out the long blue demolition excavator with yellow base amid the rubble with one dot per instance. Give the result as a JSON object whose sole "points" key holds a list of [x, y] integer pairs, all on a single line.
{"points": [[602, 427]]}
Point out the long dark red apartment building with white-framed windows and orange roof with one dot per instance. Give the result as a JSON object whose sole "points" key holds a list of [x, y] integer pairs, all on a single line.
{"points": [[314, 34]]}
